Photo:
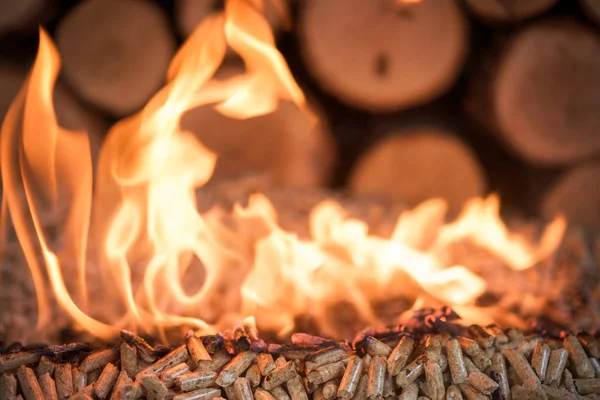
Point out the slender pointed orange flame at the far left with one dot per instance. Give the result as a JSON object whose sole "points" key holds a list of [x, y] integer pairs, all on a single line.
{"points": [[47, 165]]}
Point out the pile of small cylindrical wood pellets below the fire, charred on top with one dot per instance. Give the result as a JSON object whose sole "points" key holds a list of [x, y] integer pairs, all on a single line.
{"points": [[430, 357]]}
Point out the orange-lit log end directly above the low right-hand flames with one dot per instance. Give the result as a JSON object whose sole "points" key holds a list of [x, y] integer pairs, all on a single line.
{"points": [[415, 165]]}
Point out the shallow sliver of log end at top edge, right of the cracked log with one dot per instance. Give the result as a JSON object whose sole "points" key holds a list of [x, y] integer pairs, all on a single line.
{"points": [[506, 11]]}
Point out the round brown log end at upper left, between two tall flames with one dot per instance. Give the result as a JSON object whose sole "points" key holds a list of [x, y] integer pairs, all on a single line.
{"points": [[115, 53]]}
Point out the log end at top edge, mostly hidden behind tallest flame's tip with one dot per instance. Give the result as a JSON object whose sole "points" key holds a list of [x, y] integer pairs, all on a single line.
{"points": [[189, 13]]}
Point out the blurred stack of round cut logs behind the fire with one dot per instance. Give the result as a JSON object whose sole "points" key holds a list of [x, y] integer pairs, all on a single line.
{"points": [[450, 98]]}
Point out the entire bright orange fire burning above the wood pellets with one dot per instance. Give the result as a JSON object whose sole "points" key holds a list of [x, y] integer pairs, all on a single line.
{"points": [[158, 263]]}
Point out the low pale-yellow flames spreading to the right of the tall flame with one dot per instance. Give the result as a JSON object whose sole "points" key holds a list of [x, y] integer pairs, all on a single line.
{"points": [[343, 263]]}
